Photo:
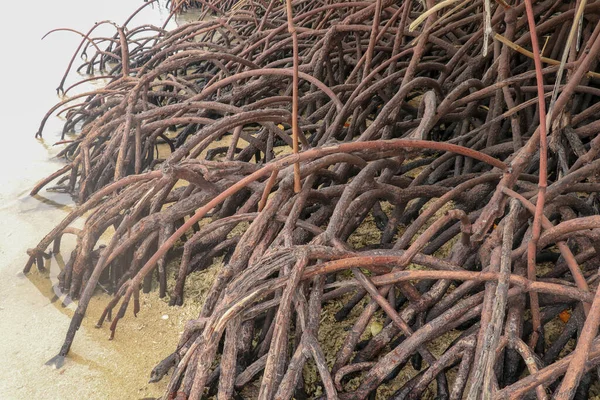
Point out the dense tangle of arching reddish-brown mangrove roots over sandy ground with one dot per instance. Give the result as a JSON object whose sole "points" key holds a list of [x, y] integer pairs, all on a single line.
{"points": [[399, 115]]}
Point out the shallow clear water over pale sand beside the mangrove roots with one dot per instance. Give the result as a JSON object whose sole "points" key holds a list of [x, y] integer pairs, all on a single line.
{"points": [[33, 316]]}
